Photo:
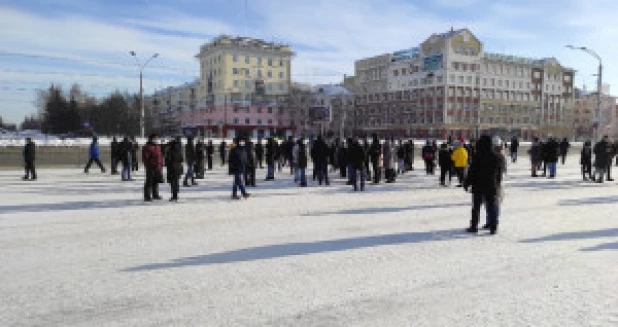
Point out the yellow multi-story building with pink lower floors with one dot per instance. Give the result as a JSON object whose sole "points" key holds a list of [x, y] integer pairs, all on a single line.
{"points": [[243, 88]]}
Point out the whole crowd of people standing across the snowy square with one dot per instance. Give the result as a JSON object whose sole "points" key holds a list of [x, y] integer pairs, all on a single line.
{"points": [[479, 166]]}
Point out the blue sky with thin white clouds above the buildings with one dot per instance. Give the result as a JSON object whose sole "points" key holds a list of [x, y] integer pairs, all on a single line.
{"points": [[87, 41]]}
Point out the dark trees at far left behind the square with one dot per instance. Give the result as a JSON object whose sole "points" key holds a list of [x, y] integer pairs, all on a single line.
{"points": [[75, 113]]}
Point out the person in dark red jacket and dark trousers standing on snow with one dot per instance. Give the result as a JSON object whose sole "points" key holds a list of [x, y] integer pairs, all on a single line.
{"points": [[153, 162]]}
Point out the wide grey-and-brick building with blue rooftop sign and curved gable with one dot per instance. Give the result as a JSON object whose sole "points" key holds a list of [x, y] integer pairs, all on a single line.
{"points": [[449, 86]]}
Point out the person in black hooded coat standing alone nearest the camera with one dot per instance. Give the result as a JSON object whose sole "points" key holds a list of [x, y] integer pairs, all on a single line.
{"points": [[484, 177]]}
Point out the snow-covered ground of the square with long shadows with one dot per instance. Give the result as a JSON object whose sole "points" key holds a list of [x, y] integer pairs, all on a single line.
{"points": [[84, 250]]}
